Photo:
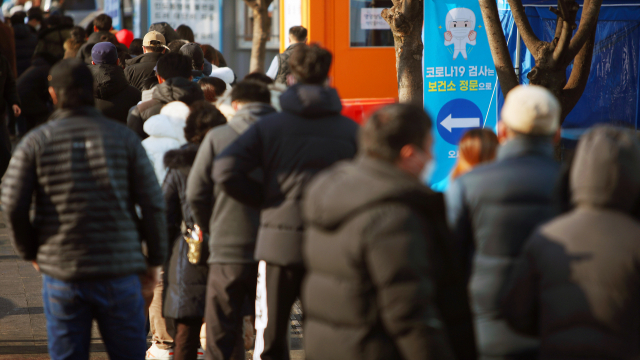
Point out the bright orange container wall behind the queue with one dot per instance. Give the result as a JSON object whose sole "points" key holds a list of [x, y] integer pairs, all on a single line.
{"points": [[357, 73]]}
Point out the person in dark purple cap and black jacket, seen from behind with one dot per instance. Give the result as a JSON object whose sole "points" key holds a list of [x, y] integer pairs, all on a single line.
{"points": [[113, 95]]}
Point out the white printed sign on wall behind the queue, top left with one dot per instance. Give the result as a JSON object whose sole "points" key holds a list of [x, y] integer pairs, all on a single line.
{"points": [[202, 16]]}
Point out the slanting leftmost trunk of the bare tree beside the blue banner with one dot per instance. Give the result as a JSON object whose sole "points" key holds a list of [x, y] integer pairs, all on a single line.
{"points": [[498, 44]]}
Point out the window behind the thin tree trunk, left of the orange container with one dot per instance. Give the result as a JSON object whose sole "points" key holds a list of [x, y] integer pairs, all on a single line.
{"points": [[244, 25]]}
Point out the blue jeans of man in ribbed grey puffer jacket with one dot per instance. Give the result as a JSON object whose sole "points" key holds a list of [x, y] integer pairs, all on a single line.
{"points": [[116, 304]]}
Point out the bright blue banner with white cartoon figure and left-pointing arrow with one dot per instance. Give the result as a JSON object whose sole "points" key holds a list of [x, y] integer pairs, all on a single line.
{"points": [[459, 79]]}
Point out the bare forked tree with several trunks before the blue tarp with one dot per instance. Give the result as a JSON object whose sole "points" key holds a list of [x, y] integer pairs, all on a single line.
{"points": [[551, 59]]}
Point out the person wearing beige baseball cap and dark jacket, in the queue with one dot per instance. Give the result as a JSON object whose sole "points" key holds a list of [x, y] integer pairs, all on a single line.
{"points": [[140, 68]]}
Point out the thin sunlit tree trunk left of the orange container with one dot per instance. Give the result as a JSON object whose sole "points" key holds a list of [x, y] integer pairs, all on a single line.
{"points": [[261, 30]]}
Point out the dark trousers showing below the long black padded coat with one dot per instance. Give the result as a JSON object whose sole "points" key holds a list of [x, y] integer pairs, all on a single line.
{"points": [[186, 337]]}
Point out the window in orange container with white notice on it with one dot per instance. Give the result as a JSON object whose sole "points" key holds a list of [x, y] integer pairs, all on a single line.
{"points": [[368, 28]]}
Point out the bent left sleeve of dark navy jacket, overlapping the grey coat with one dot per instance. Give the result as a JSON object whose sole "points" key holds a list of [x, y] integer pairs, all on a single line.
{"points": [[233, 166]]}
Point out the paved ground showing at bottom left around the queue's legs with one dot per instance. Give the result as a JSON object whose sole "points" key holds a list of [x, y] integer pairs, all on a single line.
{"points": [[23, 334]]}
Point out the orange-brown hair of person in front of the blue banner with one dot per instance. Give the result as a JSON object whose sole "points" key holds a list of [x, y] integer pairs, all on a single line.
{"points": [[475, 147]]}
